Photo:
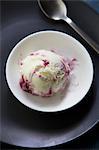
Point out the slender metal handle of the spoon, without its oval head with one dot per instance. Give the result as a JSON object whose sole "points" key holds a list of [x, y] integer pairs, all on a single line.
{"points": [[82, 34]]}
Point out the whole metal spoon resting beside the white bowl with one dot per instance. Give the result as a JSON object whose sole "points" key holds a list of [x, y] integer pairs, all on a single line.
{"points": [[56, 10]]}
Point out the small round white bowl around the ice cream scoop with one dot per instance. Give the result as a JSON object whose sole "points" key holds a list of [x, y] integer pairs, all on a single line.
{"points": [[65, 45]]}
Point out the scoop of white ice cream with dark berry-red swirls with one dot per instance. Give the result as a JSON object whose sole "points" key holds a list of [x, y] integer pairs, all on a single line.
{"points": [[44, 73]]}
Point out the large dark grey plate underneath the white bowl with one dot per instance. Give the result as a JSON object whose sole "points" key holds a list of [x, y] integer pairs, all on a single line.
{"points": [[28, 128]]}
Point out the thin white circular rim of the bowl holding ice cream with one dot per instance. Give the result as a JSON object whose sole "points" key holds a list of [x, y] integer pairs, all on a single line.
{"points": [[43, 32]]}
